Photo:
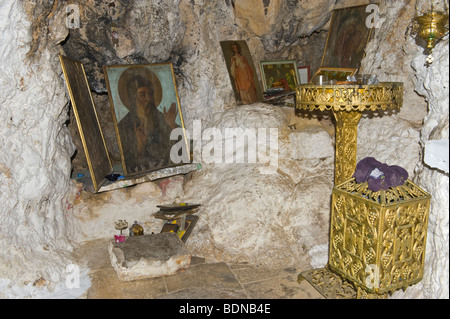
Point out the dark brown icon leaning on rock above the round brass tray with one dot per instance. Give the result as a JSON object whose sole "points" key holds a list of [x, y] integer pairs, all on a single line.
{"points": [[347, 38]]}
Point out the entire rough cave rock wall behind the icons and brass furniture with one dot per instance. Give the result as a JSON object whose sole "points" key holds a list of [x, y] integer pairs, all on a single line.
{"points": [[274, 215]]}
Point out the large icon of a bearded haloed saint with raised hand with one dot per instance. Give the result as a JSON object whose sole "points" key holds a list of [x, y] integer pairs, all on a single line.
{"points": [[146, 109]]}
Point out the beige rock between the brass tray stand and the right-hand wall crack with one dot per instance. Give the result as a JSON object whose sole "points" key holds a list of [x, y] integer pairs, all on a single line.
{"points": [[392, 137]]}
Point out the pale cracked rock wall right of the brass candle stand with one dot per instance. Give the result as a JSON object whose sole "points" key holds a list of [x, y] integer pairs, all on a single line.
{"points": [[394, 55]]}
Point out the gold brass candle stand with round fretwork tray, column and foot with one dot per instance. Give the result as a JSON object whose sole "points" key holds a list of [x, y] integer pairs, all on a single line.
{"points": [[347, 103]]}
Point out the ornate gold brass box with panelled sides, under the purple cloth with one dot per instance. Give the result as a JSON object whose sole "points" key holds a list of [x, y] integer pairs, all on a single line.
{"points": [[378, 239]]}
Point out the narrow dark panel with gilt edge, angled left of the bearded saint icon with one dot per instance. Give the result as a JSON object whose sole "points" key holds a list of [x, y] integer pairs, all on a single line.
{"points": [[92, 138]]}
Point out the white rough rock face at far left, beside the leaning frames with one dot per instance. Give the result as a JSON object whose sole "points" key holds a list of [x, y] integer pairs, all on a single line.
{"points": [[35, 150]]}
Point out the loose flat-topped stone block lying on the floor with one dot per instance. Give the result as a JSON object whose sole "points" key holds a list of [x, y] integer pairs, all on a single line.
{"points": [[147, 256]]}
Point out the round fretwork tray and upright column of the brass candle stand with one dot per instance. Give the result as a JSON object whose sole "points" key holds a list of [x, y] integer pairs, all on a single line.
{"points": [[347, 103]]}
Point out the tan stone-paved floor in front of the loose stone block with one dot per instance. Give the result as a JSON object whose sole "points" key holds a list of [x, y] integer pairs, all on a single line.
{"points": [[204, 279]]}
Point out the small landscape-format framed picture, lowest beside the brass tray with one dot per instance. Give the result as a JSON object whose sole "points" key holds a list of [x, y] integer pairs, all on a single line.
{"points": [[279, 75]]}
